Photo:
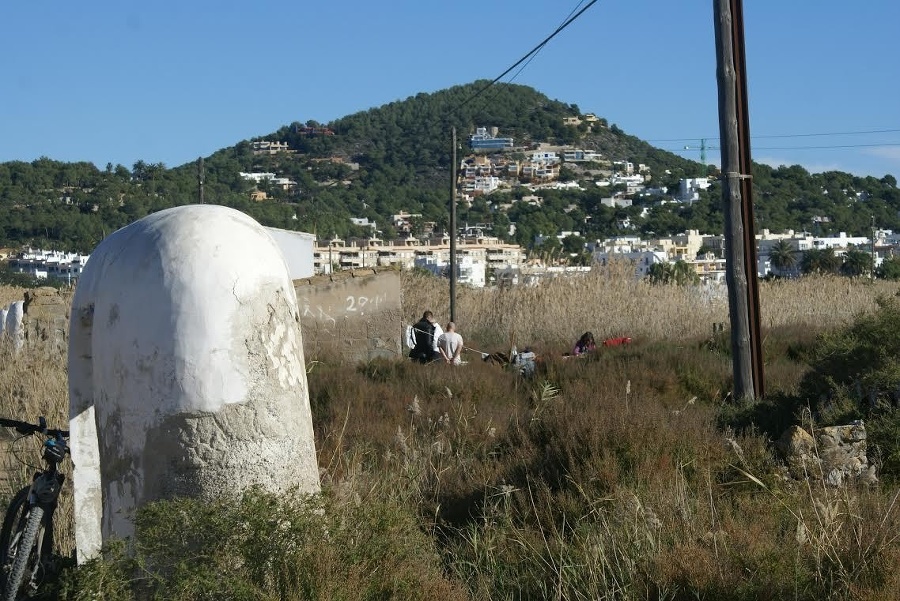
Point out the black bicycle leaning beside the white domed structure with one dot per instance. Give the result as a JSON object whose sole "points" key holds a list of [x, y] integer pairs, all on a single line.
{"points": [[26, 538]]}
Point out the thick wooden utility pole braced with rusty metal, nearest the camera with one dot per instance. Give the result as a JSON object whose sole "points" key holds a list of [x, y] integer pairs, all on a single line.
{"points": [[740, 231]]}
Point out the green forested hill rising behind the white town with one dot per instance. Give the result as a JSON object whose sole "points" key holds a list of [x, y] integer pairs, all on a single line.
{"points": [[397, 157]]}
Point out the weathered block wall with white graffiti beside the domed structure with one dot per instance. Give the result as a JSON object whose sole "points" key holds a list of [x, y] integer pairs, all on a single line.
{"points": [[352, 314]]}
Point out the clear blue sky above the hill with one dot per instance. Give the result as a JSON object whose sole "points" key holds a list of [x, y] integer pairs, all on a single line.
{"points": [[172, 80]]}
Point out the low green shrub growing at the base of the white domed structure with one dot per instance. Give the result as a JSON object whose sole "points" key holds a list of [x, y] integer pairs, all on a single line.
{"points": [[267, 547]]}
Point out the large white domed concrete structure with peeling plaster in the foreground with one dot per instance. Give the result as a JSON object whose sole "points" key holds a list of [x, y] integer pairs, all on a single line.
{"points": [[186, 370]]}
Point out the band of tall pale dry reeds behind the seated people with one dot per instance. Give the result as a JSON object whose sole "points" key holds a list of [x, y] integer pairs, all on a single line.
{"points": [[611, 302]]}
